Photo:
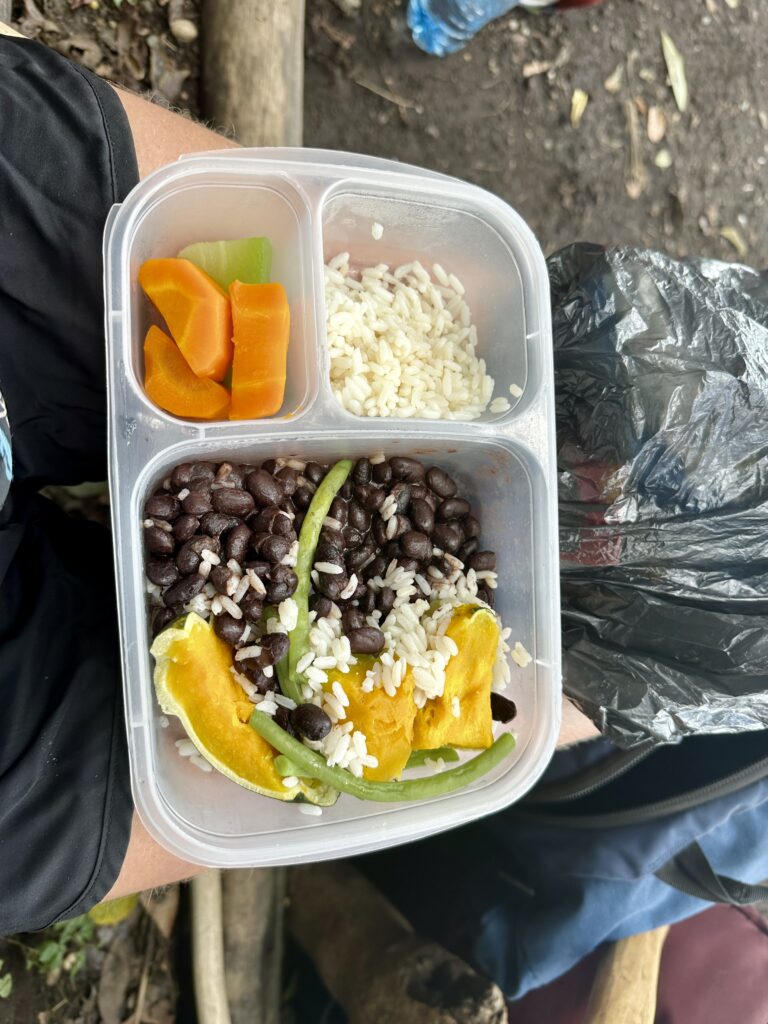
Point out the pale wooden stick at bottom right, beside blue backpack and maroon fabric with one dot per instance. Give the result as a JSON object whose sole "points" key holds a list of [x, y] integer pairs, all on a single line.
{"points": [[627, 984]]}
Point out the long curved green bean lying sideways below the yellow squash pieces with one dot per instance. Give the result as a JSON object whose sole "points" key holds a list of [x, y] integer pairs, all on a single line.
{"points": [[412, 789]]}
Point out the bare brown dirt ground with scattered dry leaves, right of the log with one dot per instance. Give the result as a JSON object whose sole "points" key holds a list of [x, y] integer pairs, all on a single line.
{"points": [[499, 115]]}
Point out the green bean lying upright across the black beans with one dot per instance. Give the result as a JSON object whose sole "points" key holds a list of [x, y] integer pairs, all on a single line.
{"points": [[311, 531]]}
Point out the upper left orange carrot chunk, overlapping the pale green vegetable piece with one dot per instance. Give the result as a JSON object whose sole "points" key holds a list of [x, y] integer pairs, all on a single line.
{"points": [[196, 311]]}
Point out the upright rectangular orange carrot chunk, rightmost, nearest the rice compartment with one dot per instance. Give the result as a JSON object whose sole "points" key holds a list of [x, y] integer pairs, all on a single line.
{"points": [[262, 321]]}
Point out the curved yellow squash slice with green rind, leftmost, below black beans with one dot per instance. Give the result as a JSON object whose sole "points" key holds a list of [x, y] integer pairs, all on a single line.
{"points": [[193, 681]]}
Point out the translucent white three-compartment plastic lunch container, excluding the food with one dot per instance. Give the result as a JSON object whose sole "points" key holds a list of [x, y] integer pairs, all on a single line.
{"points": [[314, 204]]}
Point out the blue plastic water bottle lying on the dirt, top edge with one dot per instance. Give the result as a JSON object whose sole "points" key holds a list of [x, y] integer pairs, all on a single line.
{"points": [[442, 27]]}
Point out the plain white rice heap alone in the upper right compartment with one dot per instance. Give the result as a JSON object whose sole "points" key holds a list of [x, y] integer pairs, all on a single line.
{"points": [[403, 346]]}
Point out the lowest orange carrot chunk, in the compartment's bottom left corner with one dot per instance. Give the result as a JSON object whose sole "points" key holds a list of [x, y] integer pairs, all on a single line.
{"points": [[172, 385]]}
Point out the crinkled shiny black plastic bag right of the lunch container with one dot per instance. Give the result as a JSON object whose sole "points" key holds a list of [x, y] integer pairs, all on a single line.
{"points": [[662, 391]]}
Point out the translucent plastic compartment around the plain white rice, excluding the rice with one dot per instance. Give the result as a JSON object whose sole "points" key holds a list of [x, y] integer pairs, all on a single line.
{"points": [[467, 237]]}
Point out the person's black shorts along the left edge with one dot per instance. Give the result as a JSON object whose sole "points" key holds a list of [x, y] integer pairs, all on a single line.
{"points": [[67, 156]]}
